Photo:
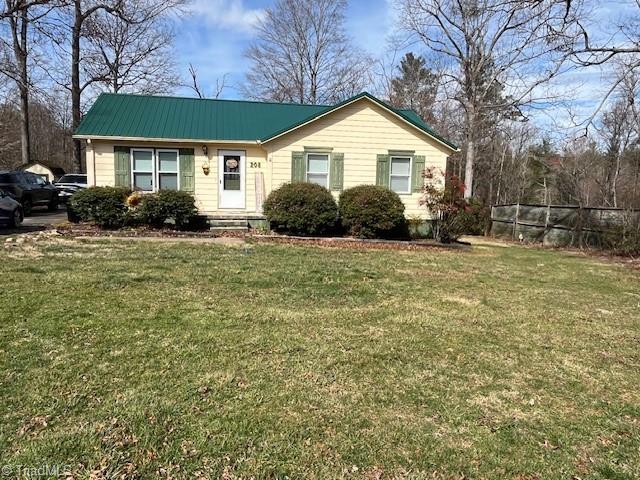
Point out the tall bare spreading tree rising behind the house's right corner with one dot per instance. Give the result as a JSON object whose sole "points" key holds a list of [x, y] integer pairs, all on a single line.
{"points": [[499, 54]]}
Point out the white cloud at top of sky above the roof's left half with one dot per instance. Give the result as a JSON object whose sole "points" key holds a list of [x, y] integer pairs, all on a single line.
{"points": [[226, 14]]}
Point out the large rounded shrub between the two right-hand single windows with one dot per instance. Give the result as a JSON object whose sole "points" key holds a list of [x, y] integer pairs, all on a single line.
{"points": [[370, 211]]}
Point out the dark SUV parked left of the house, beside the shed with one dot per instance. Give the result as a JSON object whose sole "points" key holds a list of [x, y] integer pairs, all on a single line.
{"points": [[29, 189]]}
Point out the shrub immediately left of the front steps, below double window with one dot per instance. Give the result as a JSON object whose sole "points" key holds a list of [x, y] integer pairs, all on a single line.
{"points": [[155, 209]]}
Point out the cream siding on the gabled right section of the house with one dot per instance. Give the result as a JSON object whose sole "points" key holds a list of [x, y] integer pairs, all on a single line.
{"points": [[361, 131]]}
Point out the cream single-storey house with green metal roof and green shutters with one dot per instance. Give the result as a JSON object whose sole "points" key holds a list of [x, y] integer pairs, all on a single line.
{"points": [[230, 154]]}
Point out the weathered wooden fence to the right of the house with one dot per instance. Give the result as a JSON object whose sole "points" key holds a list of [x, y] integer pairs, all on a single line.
{"points": [[559, 225]]}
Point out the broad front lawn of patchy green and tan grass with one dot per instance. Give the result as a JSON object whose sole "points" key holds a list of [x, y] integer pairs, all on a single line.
{"points": [[185, 360]]}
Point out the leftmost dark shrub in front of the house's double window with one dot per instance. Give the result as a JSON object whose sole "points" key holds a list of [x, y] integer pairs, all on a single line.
{"points": [[103, 205]]}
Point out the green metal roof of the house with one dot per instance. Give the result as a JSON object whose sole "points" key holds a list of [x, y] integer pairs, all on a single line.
{"points": [[179, 118]]}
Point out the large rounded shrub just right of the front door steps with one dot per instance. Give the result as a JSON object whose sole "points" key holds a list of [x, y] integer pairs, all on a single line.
{"points": [[301, 209]]}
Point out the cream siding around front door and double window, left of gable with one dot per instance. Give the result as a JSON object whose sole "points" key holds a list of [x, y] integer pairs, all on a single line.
{"points": [[206, 186]]}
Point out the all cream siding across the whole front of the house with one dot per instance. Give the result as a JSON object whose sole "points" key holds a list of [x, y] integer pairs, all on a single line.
{"points": [[360, 131]]}
